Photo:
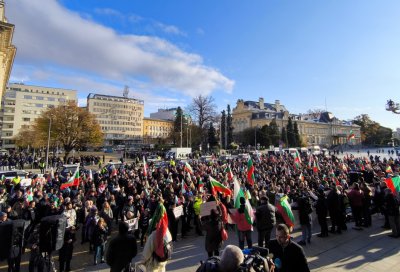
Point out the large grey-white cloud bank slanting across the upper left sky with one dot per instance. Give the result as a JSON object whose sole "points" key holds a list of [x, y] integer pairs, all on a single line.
{"points": [[58, 37]]}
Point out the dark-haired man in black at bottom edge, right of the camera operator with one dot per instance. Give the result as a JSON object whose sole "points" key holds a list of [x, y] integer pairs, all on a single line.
{"points": [[288, 256]]}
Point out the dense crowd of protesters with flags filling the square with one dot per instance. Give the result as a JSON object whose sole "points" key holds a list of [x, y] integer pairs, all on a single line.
{"points": [[345, 189]]}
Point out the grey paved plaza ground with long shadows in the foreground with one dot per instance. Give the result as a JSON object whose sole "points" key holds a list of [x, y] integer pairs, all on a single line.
{"points": [[368, 250]]}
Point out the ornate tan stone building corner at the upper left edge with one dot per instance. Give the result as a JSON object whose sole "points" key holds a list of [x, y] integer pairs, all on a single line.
{"points": [[7, 50]]}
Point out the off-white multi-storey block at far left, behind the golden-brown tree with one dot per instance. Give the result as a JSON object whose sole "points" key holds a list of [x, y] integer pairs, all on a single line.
{"points": [[22, 104]]}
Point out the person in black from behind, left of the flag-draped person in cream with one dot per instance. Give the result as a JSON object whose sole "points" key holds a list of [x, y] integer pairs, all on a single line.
{"points": [[121, 250]]}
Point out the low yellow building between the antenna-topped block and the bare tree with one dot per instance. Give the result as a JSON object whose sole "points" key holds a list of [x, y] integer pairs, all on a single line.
{"points": [[155, 129]]}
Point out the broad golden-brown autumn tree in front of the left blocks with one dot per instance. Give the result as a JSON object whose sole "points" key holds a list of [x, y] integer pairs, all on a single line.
{"points": [[72, 127]]}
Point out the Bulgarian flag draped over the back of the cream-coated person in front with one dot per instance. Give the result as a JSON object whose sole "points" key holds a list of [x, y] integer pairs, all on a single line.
{"points": [[159, 223]]}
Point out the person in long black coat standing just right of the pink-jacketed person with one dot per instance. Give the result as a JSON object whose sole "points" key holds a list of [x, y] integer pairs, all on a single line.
{"points": [[265, 220]]}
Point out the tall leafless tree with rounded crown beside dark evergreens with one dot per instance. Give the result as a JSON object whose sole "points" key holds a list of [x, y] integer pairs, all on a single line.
{"points": [[203, 109]]}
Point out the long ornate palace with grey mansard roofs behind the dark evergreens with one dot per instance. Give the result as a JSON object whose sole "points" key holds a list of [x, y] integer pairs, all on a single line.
{"points": [[321, 129]]}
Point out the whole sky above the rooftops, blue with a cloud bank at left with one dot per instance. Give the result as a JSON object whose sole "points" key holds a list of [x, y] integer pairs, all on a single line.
{"points": [[339, 55]]}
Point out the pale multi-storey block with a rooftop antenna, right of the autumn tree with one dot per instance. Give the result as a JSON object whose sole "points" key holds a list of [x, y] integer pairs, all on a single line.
{"points": [[120, 118]]}
